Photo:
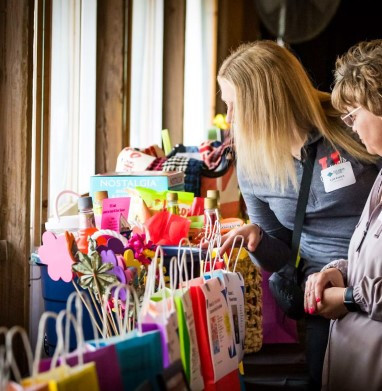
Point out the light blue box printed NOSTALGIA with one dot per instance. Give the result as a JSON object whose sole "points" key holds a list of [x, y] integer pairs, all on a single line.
{"points": [[117, 183]]}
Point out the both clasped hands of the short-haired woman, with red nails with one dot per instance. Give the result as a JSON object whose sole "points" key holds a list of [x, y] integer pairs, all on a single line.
{"points": [[324, 294]]}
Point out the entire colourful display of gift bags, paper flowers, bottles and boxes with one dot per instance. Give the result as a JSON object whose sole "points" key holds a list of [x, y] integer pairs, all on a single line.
{"points": [[149, 299]]}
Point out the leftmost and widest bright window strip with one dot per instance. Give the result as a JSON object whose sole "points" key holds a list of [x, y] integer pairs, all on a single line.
{"points": [[73, 97]]}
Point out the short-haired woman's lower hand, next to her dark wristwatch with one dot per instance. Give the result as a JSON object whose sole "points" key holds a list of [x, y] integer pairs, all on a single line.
{"points": [[332, 304]]}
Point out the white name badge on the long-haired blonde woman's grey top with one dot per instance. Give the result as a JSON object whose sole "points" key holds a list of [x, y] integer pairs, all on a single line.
{"points": [[338, 176]]}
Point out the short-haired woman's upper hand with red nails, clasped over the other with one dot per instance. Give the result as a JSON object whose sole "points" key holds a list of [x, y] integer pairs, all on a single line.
{"points": [[317, 283]]}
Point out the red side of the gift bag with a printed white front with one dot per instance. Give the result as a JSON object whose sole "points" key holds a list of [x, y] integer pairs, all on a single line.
{"points": [[229, 382]]}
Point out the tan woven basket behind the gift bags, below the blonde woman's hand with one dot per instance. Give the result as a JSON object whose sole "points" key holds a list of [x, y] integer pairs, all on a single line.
{"points": [[253, 302]]}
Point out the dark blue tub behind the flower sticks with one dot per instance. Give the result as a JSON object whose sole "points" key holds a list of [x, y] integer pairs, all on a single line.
{"points": [[55, 295]]}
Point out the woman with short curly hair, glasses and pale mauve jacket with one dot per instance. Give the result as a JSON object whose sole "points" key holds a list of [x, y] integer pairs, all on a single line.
{"points": [[356, 332]]}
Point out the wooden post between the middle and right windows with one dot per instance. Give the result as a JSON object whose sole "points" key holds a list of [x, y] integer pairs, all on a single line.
{"points": [[173, 68]]}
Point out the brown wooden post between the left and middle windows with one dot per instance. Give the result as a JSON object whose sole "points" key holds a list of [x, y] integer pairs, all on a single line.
{"points": [[111, 132]]}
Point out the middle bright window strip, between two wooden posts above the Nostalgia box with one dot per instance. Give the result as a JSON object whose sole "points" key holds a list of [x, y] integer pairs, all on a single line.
{"points": [[146, 70]]}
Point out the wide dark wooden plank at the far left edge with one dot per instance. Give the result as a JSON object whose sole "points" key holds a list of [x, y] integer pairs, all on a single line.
{"points": [[16, 67]]}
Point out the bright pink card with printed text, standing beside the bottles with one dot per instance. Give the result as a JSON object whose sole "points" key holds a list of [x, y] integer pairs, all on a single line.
{"points": [[113, 210]]}
